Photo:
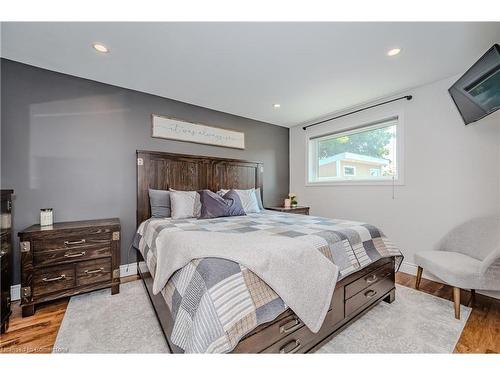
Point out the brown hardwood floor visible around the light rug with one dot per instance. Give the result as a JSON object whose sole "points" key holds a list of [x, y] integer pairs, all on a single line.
{"points": [[37, 333]]}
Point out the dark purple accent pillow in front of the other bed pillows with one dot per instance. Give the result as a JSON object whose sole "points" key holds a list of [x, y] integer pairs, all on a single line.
{"points": [[213, 205]]}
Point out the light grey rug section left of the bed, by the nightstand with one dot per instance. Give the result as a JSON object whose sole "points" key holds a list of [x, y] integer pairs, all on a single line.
{"points": [[99, 322]]}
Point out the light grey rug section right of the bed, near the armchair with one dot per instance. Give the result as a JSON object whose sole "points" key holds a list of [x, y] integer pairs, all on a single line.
{"points": [[415, 322]]}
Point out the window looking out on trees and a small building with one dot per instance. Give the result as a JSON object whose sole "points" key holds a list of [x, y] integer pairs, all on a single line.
{"points": [[367, 153]]}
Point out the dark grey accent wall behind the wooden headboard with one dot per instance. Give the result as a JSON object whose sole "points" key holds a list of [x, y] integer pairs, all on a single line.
{"points": [[69, 143]]}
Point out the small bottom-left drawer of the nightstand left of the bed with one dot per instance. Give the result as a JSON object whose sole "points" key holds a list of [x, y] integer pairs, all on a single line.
{"points": [[53, 279]]}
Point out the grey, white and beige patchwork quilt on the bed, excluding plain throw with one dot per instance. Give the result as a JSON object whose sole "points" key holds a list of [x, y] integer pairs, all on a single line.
{"points": [[216, 302]]}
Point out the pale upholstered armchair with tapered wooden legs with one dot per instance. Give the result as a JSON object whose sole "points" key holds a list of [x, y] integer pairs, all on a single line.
{"points": [[468, 258]]}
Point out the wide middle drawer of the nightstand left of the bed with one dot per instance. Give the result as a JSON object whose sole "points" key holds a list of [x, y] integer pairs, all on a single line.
{"points": [[42, 258]]}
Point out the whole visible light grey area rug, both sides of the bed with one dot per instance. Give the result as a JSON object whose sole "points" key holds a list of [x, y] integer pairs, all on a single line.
{"points": [[415, 322]]}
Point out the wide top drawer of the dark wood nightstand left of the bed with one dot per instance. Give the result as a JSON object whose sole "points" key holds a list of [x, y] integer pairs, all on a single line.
{"points": [[72, 242]]}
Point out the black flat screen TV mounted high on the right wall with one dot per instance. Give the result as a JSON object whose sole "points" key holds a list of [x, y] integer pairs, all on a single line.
{"points": [[477, 93]]}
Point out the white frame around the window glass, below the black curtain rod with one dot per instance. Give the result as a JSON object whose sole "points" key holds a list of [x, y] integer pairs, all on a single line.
{"points": [[354, 124]]}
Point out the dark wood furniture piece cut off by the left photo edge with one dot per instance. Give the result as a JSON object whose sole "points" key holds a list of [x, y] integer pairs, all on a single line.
{"points": [[5, 256]]}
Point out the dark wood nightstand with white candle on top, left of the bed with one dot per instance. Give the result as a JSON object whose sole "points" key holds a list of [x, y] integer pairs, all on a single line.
{"points": [[68, 258]]}
